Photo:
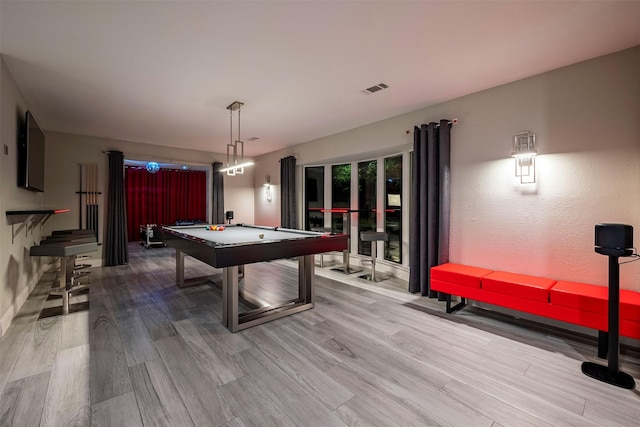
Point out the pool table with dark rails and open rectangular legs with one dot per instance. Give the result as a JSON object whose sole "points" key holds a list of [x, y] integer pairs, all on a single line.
{"points": [[240, 244]]}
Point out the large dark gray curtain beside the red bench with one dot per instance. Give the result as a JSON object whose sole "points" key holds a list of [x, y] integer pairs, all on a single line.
{"points": [[430, 204]]}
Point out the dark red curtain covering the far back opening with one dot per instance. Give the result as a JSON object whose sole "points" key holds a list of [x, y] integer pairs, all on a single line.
{"points": [[163, 197]]}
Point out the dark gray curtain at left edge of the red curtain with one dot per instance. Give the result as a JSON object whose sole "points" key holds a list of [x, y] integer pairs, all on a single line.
{"points": [[115, 241]]}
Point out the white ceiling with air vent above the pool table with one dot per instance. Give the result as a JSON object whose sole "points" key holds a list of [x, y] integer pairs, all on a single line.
{"points": [[163, 72]]}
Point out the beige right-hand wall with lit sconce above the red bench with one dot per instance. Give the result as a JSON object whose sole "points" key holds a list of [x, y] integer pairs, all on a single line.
{"points": [[586, 117]]}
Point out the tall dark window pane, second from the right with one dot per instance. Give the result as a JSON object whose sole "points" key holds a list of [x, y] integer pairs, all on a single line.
{"points": [[367, 174]]}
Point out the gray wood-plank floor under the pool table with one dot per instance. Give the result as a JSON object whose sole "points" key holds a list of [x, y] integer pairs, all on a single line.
{"points": [[148, 353]]}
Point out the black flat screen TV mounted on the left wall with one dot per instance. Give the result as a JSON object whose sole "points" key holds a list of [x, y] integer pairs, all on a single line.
{"points": [[31, 156]]}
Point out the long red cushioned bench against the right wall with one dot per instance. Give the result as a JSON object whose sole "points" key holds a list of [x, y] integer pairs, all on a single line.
{"points": [[578, 303]]}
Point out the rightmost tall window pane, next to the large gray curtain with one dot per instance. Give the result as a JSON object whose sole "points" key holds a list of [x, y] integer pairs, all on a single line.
{"points": [[393, 208]]}
